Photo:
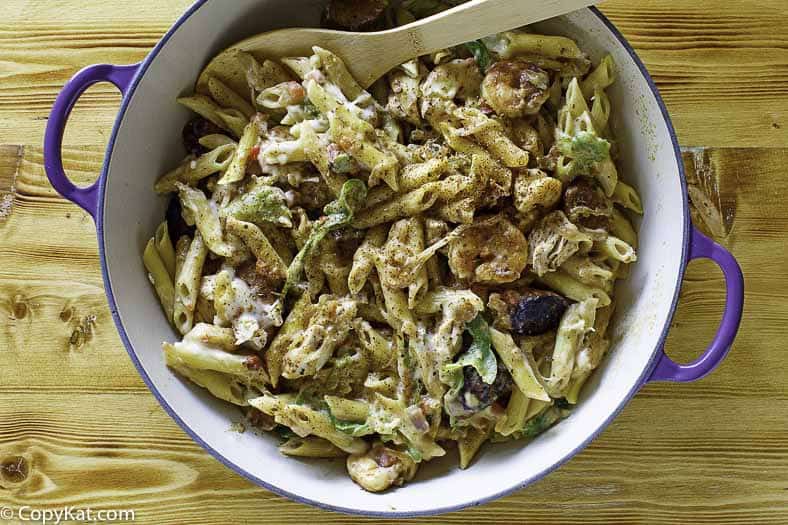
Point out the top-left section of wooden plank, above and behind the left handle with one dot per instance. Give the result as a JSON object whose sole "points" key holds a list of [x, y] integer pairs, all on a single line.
{"points": [[43, 44]]}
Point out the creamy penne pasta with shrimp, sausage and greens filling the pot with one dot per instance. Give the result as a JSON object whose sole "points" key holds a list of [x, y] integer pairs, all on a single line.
{"points": [[388, 274]]}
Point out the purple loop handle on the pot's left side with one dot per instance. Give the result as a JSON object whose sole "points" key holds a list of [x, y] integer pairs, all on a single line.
{"points": [[121, 77]]}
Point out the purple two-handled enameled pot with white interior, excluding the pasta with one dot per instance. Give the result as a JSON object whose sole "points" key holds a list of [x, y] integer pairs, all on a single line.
{"points": [[145, 142]]}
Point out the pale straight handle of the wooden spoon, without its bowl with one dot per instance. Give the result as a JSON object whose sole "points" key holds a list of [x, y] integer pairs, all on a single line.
{"points": [[480, 18]]}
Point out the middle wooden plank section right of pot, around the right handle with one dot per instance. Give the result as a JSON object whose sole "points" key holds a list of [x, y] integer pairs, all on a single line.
{"points": [[745, 186]]}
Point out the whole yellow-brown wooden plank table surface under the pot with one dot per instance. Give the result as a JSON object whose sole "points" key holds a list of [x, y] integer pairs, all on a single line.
{"points": [[73, 406]]}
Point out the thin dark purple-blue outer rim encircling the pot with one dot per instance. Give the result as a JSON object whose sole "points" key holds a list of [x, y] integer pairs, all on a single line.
{"points": [[143, 67]]}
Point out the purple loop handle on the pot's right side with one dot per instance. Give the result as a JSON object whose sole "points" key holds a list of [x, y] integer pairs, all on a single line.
{"points": [[668, 370]]}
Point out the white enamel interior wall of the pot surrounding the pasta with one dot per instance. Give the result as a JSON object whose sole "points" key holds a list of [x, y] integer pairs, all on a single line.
{"points": [[148, 143]]}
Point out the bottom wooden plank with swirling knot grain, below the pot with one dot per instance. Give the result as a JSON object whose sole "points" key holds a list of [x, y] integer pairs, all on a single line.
{"points": [[123, 451]]}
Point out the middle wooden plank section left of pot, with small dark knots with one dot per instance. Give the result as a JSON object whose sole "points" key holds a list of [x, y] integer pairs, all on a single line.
{"points": [[56, 331]]}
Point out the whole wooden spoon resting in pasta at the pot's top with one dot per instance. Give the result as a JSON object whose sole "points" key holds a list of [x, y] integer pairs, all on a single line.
{"points": [[369, 56]]}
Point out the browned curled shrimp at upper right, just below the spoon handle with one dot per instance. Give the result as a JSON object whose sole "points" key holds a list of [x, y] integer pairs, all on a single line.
{"points": [[515, 88]]}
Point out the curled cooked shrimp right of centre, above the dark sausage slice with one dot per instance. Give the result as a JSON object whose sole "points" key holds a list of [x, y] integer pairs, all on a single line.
{"points": [[492, 250]]}
